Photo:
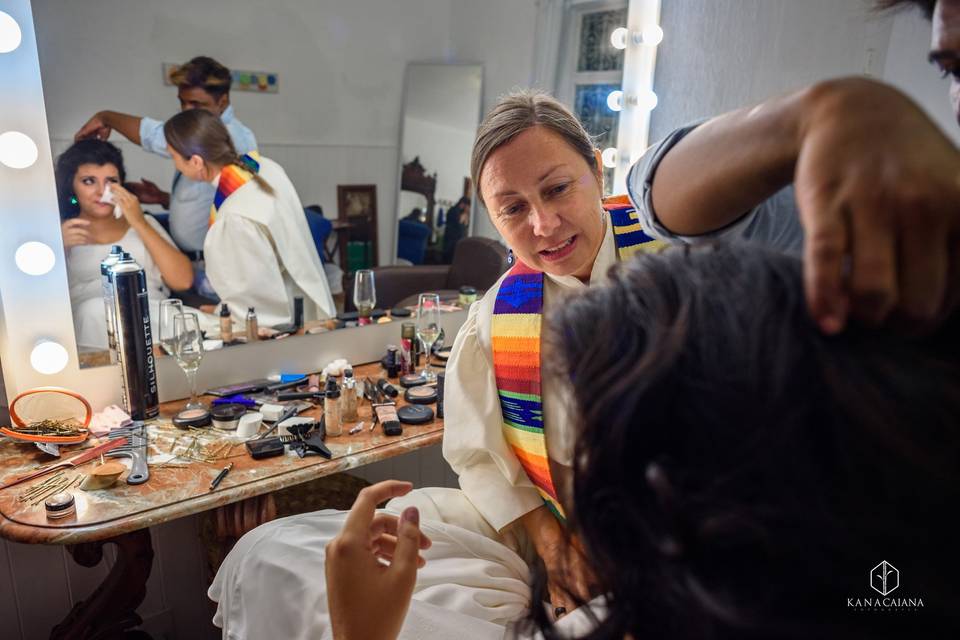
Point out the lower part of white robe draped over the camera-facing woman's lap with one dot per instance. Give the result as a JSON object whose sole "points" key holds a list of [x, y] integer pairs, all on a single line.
{"points": [[474, 584]]}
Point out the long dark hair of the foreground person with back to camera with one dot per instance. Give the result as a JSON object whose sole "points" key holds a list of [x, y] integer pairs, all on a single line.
{"points": [[737, 473]]}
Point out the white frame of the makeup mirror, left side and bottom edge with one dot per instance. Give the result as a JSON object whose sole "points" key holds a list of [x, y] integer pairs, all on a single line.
{"points": [[34, 308]]}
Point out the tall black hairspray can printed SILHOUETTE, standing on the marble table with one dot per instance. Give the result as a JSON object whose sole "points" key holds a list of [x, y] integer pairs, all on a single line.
{"points": [[134, 339]]}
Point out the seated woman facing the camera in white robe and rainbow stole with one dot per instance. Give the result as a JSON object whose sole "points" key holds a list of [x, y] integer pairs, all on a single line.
{"points": [[508, 439]]}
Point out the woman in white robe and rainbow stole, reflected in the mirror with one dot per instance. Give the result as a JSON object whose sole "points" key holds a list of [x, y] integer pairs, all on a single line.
{"points": [[258, 250]]}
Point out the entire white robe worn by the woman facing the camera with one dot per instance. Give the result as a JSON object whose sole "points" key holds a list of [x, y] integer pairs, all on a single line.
{"points": [[476, 579]]}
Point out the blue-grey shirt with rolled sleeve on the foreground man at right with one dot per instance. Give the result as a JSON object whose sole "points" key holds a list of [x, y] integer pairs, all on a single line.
{"points": [[774, 223]]}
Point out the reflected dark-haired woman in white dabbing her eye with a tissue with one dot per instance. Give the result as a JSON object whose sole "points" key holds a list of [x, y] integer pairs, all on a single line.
{"points": [[97, 212]]}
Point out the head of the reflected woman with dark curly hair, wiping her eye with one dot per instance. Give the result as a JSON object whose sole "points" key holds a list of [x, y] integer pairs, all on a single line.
{"points": [[82, 173]]}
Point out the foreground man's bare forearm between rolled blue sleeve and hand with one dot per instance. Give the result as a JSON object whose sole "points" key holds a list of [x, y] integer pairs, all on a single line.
{"points": [[728, 165]]}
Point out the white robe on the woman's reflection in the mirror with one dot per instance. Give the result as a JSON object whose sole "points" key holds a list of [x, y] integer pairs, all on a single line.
{"points": [[259, 253]]}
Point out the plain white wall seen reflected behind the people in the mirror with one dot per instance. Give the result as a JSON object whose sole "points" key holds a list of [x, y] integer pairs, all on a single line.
{"points": [[336, 119]]}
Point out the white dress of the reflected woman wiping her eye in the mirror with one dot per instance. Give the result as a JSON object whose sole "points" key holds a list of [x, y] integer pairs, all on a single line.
{"points": [[86, 290]]}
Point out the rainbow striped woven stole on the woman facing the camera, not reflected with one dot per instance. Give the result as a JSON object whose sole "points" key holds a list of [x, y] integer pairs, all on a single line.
{"points": [[517, 321]]}
